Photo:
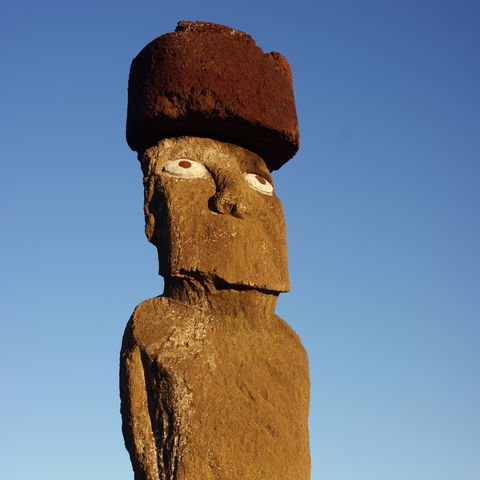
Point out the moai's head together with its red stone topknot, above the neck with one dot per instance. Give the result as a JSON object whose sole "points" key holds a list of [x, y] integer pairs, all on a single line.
{"points": [[211, 116]]}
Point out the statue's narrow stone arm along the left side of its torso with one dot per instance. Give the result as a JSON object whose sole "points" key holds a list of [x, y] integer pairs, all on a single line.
{"points": [[136, 422]]}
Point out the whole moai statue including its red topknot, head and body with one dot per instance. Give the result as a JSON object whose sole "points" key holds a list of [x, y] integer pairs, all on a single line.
{"points": [[213, 384]]}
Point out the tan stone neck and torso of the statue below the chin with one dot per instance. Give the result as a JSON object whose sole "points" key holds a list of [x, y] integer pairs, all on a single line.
{"points": [[226, 387]]}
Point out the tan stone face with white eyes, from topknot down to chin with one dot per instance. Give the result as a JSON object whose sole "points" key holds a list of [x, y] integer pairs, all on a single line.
{"points": [[211, 210]]}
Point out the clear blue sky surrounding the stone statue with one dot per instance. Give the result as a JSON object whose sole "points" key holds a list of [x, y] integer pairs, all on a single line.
{"points": [[382, 209]]}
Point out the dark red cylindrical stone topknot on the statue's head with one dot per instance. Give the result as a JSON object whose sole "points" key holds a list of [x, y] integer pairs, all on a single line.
{"points": [[212, 81]]}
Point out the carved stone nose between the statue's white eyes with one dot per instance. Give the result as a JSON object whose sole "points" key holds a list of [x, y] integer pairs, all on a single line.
{"points": [[230, 197]]}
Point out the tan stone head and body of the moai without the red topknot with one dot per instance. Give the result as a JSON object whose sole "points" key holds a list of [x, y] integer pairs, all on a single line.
{"points": [[213, 384]]}
